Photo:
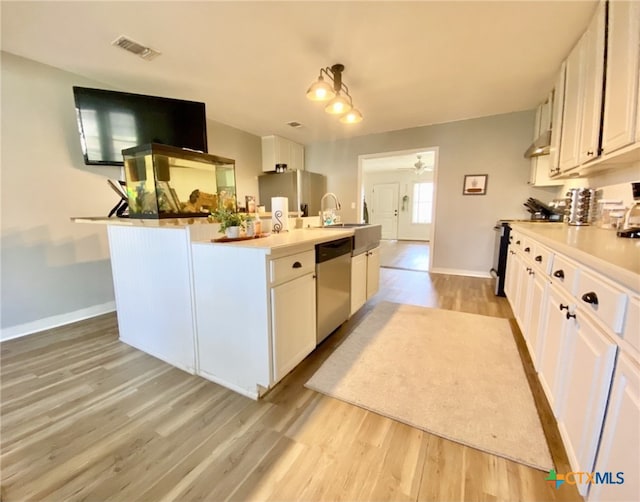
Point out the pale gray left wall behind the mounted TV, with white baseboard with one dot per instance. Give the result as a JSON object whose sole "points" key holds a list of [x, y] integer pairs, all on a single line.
{"points": [[55, 271]]}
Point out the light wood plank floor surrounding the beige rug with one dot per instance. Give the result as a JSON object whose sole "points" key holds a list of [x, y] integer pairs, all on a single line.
{"points": [[85, 417]]}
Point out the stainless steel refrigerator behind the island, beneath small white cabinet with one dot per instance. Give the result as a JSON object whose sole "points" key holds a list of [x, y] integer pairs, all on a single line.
{"points": [[302, 188]]}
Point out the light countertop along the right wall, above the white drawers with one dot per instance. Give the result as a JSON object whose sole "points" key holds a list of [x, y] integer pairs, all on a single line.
{"points": [[598, 248]]}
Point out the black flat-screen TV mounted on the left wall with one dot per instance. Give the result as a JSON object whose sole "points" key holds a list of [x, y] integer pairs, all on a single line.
{"points": [[110, 121]]}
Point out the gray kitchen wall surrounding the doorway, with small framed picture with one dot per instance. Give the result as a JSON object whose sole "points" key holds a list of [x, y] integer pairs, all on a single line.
{"points": [[464, 237]]}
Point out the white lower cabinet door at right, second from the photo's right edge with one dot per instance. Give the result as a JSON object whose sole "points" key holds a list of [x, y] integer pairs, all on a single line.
{"points": [[589, 366]]}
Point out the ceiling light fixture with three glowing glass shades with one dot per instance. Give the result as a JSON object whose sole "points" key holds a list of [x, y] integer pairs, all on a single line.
{"points": [[340, 102]]}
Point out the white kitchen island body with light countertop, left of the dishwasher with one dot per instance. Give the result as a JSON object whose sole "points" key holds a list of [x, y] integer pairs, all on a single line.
{"points": [[239, 313]]}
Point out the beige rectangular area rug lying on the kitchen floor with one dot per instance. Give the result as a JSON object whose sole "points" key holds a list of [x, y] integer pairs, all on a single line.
{"points": [[452, 374]]}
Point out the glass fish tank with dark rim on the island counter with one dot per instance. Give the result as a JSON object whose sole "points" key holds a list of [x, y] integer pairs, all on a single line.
{"points": [[170, 182]]}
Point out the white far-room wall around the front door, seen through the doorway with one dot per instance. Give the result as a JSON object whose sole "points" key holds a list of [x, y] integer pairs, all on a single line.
{"points": [[405, 179]]}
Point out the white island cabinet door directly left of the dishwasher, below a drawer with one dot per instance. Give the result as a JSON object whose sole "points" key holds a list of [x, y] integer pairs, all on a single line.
{"points": [[293, 323]]}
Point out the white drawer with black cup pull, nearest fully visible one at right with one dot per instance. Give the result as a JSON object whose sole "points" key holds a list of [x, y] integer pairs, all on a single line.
{"points": [[602, 299]]}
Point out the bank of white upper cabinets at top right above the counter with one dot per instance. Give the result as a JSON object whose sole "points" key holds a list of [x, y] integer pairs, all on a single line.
{"points": [[599, 112]]}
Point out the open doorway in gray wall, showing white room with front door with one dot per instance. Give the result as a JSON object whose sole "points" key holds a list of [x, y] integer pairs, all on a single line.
{"points": [[398, 190]]}
